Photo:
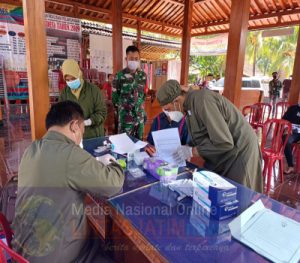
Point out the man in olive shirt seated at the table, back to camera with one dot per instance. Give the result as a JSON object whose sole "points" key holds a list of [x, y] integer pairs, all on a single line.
{"points": [[54, 176]]}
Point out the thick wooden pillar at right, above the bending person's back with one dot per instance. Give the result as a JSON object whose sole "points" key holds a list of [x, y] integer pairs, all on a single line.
{"points": [[237, 40]]}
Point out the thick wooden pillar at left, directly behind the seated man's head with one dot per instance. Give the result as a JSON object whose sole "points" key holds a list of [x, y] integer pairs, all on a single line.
{"points": [[37, 65]]}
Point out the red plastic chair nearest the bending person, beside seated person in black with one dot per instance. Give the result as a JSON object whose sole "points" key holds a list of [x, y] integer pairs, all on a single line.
{"points": [[273, 150]]}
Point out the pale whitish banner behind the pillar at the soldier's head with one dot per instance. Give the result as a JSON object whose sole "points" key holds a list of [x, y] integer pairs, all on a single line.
{"points": [[101, 52]]}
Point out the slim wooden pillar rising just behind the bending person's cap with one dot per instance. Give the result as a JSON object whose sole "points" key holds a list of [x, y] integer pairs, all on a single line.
{"points": [[186, 42]]}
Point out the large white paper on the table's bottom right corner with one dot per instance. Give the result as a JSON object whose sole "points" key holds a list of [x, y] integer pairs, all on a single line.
{"points": [[270, 234]]}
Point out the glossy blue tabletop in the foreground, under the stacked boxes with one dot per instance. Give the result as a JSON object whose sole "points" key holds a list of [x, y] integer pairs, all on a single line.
{"points": [[182, 232]]}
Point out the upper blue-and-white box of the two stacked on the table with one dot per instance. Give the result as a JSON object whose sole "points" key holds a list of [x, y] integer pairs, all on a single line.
{"points": [[214, 187]]}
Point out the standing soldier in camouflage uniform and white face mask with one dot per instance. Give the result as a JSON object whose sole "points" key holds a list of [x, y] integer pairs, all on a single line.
{"points": [[128, 95]]}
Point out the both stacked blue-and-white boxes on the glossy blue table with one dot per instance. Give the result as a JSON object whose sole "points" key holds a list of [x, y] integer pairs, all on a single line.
{"points": [[215, 195]]}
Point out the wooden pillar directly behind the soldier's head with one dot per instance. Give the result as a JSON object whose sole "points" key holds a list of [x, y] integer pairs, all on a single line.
{"points": [[117, 35]]}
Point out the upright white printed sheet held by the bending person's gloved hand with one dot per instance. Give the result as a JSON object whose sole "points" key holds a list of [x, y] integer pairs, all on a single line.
{"points": [[166, 144]]}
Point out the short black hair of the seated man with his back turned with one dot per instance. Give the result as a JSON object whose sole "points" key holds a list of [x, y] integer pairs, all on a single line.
{"points": [[62, 113]]}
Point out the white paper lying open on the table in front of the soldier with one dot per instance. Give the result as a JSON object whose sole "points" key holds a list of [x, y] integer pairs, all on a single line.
{"points": [[123, 144]]}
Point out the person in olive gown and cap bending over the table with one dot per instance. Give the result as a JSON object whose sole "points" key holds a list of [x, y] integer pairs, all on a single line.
{"points": [[219, 134]]}
